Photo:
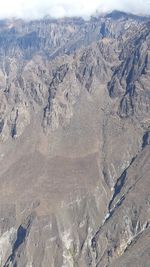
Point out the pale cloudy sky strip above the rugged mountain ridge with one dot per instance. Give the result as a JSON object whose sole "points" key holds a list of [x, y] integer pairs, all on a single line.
{"points": [[34, 9]]}
